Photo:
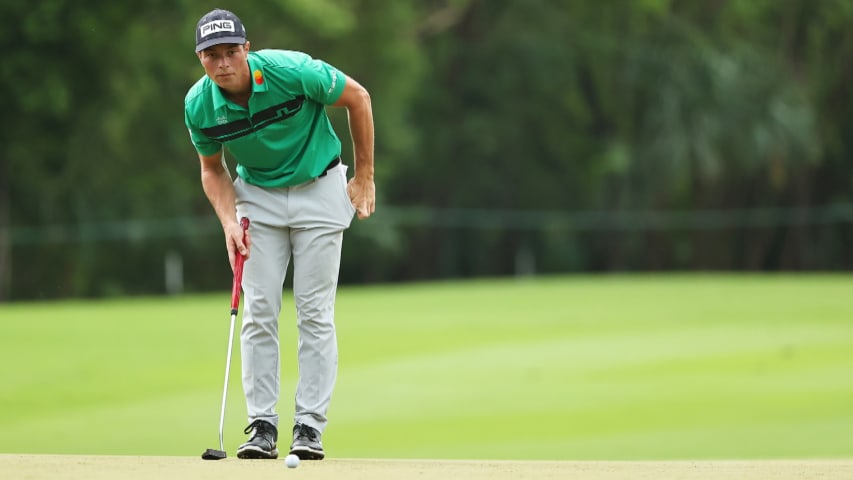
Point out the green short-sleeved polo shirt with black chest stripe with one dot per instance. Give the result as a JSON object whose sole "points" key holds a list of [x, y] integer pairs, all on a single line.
{"points": [[284, 138]]}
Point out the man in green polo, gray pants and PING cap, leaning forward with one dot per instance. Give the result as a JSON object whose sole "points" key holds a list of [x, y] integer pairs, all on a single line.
{"points": [[269, 109]]}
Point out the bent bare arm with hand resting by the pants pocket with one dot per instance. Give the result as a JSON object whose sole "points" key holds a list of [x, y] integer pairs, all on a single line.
{"points": [[361, 188]]}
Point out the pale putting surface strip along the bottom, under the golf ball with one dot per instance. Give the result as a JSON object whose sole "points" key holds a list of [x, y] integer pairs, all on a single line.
{"points": [[69, 467]]}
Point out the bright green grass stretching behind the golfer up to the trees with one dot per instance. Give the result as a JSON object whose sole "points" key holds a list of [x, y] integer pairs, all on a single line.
{"points": [[608, 367]]}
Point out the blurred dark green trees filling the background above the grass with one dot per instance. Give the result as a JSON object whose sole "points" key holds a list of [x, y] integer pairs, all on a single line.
{"points": [[509, 106]]}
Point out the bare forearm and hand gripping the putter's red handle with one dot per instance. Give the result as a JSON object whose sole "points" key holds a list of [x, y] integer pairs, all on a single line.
{"points": [[219, 188]]}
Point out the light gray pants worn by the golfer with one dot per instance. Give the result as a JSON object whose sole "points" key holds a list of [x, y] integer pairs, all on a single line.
{"points": [[306, 222]]}
